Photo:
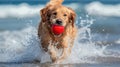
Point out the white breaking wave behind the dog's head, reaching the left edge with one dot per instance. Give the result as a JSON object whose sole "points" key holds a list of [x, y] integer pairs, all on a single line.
{"points": [[24, 10]]}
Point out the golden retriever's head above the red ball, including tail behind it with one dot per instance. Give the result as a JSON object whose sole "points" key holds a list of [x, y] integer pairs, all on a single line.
{"points": [[55, 13]]}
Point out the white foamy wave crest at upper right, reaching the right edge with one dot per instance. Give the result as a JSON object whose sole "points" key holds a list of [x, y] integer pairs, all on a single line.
{"points": [[97, 8]]}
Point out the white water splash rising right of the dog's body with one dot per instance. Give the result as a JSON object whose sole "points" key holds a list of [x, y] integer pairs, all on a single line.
{"points": [[84, 48]]}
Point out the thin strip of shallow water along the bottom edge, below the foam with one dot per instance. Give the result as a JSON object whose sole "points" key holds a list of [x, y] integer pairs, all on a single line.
{"points": [[61, 65]]}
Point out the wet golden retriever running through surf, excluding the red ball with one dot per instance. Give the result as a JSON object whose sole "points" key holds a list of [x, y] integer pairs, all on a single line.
{"points": [[58, 46]]}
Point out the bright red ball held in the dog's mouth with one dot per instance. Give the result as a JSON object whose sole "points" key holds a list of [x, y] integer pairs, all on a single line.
{"points": [[57, 29]]}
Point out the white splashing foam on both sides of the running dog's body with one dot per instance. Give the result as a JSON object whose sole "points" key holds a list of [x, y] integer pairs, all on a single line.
{"points": [[23, 45]]}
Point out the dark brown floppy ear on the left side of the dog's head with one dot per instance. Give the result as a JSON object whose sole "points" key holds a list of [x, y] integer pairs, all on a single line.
{"points": [[45, 14]]}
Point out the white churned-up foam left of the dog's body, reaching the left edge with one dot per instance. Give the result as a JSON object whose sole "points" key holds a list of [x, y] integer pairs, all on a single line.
{"points": [[19, 46]]}
